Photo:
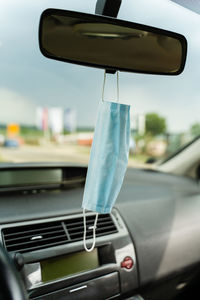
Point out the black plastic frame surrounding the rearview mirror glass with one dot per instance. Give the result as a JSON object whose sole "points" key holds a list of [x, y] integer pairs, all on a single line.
{"points": [[114, 21]]}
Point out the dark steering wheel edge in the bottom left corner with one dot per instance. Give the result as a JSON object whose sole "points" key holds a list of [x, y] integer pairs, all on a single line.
{"points": [[11, 285]]}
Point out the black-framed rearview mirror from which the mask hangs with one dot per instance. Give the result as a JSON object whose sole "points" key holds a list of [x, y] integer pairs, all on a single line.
{"points": [[111, 44]]}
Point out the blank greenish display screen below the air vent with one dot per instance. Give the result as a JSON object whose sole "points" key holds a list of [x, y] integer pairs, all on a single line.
{"points": [[62, 266]]}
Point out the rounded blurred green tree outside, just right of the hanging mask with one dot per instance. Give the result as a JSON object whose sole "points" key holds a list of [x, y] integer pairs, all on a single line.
{"points": [[155, 124]]}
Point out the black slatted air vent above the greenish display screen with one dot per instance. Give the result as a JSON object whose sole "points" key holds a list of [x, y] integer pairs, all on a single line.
{"points": [[44, 235]]}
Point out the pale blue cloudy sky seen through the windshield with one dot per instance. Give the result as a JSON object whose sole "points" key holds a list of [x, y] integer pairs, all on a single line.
{"points": [[28, 79]]}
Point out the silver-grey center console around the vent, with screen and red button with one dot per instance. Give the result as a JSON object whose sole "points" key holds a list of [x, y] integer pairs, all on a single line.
{"points": [[67, 271]]}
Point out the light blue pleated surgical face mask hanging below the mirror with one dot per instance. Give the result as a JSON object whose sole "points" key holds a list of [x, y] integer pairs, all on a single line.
{"points": [[108, 158]]}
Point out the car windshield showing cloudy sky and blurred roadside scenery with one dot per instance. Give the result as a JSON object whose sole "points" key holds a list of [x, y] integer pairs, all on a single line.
{"points": [[48, 108]]}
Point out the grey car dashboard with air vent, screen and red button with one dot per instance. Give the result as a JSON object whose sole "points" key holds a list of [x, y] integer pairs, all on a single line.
{"points": [[147, 248]]}
